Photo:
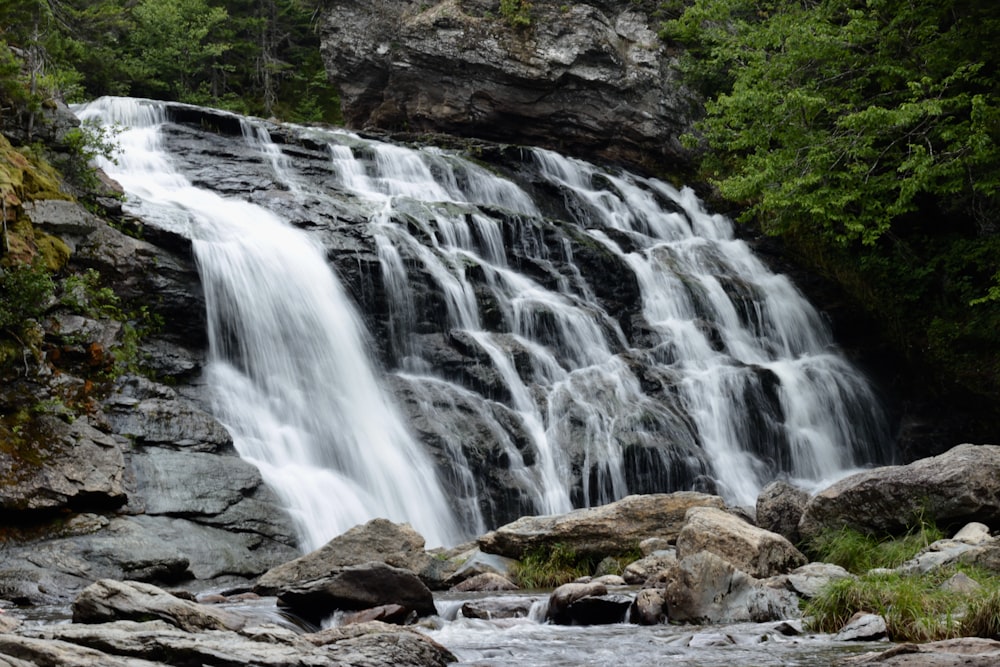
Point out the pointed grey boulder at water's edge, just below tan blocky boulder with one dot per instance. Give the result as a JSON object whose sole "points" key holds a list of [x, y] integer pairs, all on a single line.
{"points": [[705, 588]]}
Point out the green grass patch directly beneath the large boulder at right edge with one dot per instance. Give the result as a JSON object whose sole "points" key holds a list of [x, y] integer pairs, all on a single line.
{"points": [[859, 552]]}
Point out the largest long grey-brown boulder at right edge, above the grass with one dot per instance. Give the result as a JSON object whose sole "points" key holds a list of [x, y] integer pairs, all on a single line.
{"points": [[951, 489]]}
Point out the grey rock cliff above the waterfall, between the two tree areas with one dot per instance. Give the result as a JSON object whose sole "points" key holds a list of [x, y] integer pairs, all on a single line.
{"points": [[589, 78]]}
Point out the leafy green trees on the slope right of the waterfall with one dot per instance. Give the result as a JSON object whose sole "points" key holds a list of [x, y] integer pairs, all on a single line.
{"points": [[866, 134]]}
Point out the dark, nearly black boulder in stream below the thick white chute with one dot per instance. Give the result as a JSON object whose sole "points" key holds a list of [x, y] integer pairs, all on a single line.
{"points": [[357, 587]]}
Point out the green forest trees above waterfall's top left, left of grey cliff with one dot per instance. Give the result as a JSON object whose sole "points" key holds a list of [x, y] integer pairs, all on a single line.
{"points": [[259, 57]]}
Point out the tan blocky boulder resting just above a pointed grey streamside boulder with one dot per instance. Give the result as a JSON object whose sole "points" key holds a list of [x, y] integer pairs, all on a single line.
{"points": [[758, 552]]}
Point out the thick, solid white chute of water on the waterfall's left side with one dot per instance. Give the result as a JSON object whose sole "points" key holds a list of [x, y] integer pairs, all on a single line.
{"points": [[289, 369]]}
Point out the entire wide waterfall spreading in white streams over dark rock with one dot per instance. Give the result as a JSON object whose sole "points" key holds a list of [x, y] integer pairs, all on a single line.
{"points": [[600, 336]]}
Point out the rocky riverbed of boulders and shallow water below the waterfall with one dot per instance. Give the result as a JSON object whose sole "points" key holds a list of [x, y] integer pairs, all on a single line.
{"points": [[710, 587]]}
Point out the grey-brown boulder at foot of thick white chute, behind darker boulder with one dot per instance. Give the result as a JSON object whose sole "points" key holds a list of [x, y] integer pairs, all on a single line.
{"points": [[379, 540]]}
